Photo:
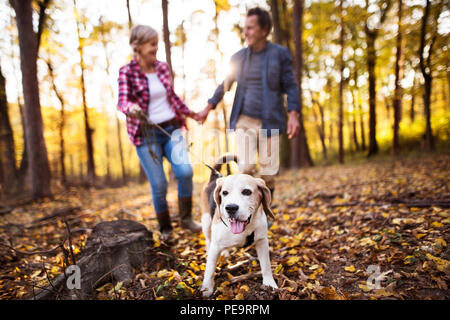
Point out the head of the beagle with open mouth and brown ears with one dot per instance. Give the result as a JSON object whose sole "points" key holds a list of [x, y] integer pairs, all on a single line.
{"points": [[238, 198]]}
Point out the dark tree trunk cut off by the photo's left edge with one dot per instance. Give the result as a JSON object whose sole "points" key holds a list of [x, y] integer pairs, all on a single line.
{"points": [[7, 150]]}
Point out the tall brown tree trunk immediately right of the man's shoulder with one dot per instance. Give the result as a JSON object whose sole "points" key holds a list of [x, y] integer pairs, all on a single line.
{"points": [[300, 156]]}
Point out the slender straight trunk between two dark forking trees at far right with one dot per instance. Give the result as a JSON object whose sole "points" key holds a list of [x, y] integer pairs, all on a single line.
{"points": [[397, 104]]}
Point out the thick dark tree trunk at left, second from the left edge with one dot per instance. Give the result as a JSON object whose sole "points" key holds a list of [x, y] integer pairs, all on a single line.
{"points": [[36, 148]]}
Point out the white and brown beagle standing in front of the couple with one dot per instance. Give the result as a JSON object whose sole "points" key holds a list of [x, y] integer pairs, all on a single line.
{"points": [[234, 209]]}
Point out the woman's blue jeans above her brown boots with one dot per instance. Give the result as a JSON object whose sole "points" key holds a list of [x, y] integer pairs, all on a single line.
{"points": [[174, 149]]}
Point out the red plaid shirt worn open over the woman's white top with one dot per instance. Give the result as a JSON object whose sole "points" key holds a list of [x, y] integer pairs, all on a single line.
{"points": [[134, 89]]}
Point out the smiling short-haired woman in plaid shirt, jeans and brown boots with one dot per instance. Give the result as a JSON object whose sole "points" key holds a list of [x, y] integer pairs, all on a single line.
{"points": [[146, 95]]}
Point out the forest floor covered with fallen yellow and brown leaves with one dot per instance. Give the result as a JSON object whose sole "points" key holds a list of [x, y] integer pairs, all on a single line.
{"points": [[376, 230]]}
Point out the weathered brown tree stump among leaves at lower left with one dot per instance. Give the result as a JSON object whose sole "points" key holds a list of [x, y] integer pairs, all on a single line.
{"points": [[112, 251]]}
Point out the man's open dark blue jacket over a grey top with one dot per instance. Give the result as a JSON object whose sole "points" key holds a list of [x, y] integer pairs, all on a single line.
{"points": [[277, 78]]}
